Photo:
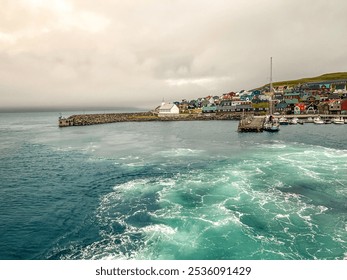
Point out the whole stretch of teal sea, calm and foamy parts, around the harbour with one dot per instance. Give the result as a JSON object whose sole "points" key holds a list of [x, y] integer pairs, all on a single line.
{"points": [[171, 190]]}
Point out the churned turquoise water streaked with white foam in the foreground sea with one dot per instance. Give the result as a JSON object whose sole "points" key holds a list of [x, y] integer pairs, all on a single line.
{"points": [[271, 206]]}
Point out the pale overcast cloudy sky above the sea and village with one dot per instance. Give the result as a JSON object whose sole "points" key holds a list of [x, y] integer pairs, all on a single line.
{"points": [[137, 53]]}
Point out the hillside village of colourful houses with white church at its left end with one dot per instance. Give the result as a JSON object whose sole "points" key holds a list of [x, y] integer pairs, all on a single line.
{"points": [[326, 97]]}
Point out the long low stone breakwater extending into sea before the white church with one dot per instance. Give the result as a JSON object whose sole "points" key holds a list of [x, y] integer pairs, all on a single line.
{"points": [[92, 119]]}
